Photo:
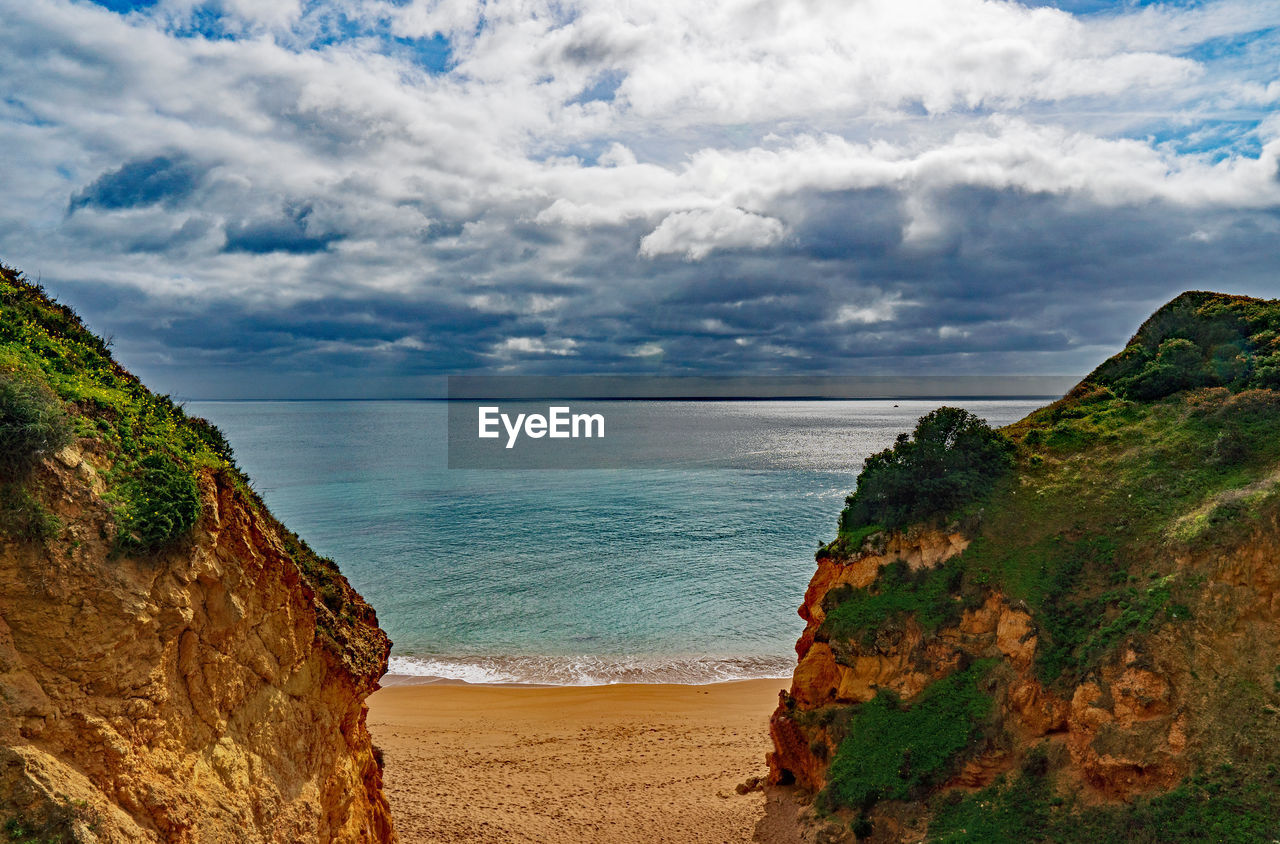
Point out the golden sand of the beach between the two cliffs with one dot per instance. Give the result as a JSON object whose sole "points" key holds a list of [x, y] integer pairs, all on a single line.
{"points": [[578, 765]]}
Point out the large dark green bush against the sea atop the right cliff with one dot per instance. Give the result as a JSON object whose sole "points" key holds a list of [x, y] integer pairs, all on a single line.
{"points": [[950, 460]]}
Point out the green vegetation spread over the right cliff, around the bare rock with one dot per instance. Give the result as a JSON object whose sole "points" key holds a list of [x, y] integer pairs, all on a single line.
{"points": [[1167, 455]]}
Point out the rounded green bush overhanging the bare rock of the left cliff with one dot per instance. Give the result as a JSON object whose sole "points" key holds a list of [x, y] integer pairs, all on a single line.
{"points": [[163, 507]]}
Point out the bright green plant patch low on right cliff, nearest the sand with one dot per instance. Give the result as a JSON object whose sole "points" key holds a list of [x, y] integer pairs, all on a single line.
{"points": [[893, 751]]}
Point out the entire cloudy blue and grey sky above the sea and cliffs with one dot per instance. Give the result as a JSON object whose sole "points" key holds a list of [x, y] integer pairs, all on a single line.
{"points": [[353, 199]]}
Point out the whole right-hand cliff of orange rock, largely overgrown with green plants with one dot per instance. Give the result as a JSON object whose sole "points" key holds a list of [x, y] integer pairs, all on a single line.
{"points": [[1089, 651]]}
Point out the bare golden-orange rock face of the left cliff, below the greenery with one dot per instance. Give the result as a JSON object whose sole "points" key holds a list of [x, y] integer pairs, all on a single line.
{"points": [[188, 697]]}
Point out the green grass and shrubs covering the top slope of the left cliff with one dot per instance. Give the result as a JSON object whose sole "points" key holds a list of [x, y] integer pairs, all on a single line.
{"points": [[58, 385]]}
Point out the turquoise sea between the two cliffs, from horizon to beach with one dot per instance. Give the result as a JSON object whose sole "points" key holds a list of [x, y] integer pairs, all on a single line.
{"points": [[689, 574]]}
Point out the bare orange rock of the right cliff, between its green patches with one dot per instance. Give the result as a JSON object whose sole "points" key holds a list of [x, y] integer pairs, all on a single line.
{"points": [[1159, 709]]}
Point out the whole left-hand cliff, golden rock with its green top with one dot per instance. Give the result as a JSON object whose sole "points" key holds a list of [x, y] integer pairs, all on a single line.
{"points": [[175, 664]]}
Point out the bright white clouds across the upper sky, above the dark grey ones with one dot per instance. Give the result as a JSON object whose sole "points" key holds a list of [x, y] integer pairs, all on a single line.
{"points": [[719, 111]]}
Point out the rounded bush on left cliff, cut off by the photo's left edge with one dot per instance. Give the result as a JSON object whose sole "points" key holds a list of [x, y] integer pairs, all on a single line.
{"points": [[33, 423]]}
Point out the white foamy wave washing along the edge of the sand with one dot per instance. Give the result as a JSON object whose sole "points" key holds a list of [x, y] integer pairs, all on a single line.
{"points": [[584, 670]]}
